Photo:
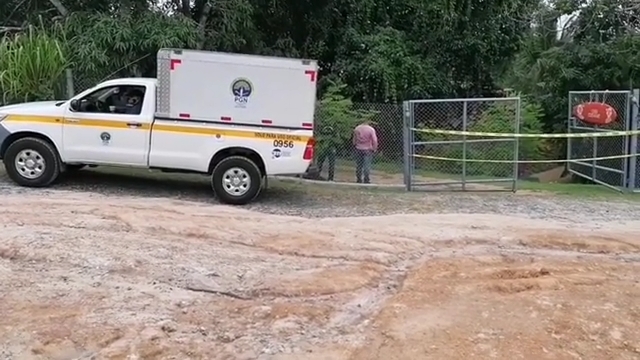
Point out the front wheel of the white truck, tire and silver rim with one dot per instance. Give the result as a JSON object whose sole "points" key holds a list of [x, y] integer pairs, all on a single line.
{"points": [[32, 162]]}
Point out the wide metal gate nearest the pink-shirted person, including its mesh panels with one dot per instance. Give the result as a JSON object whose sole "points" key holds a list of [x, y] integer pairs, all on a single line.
{"points": [[451, 161]]}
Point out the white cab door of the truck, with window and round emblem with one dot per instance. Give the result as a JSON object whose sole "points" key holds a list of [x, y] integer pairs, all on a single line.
{"points": [[118, 113]]}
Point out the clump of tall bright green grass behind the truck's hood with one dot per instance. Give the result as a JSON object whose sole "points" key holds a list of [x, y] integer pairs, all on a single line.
{"points": [[32, 65]]}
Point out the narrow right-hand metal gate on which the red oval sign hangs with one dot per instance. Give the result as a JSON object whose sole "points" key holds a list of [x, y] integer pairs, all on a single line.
{"points": [[618, 173]]}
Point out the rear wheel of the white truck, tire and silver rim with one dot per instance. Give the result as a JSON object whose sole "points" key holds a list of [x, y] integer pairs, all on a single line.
{"points": [[236, 180]]}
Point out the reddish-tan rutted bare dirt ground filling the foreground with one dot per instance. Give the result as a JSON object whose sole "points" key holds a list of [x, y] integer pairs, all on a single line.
{"points": [[87, 276]]}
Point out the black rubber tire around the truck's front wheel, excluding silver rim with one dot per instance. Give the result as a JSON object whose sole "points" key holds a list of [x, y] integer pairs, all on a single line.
{"points": [[48, 153]]}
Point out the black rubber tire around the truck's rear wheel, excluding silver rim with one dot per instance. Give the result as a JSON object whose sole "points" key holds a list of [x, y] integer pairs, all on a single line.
{"points": [[249, 168]]}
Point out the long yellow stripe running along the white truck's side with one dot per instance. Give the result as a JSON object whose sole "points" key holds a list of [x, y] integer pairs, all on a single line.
{"points": [[177, 128]]}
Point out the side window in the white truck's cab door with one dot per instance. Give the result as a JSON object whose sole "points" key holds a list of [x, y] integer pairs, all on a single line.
{"points": [[123, 99]]}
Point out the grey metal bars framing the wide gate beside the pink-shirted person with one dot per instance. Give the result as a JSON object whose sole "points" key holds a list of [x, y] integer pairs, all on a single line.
{"points": [[410, 142]]}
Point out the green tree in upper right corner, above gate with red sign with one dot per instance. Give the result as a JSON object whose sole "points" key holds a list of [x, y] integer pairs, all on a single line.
{"points": [[598, 48]]}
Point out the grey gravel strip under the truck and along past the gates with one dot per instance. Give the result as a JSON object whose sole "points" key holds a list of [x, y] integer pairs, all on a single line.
{"points": [[323, 200]]}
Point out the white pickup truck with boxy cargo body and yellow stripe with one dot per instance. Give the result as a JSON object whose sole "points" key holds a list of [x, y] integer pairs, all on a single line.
{"points": [[236, 118]]}
